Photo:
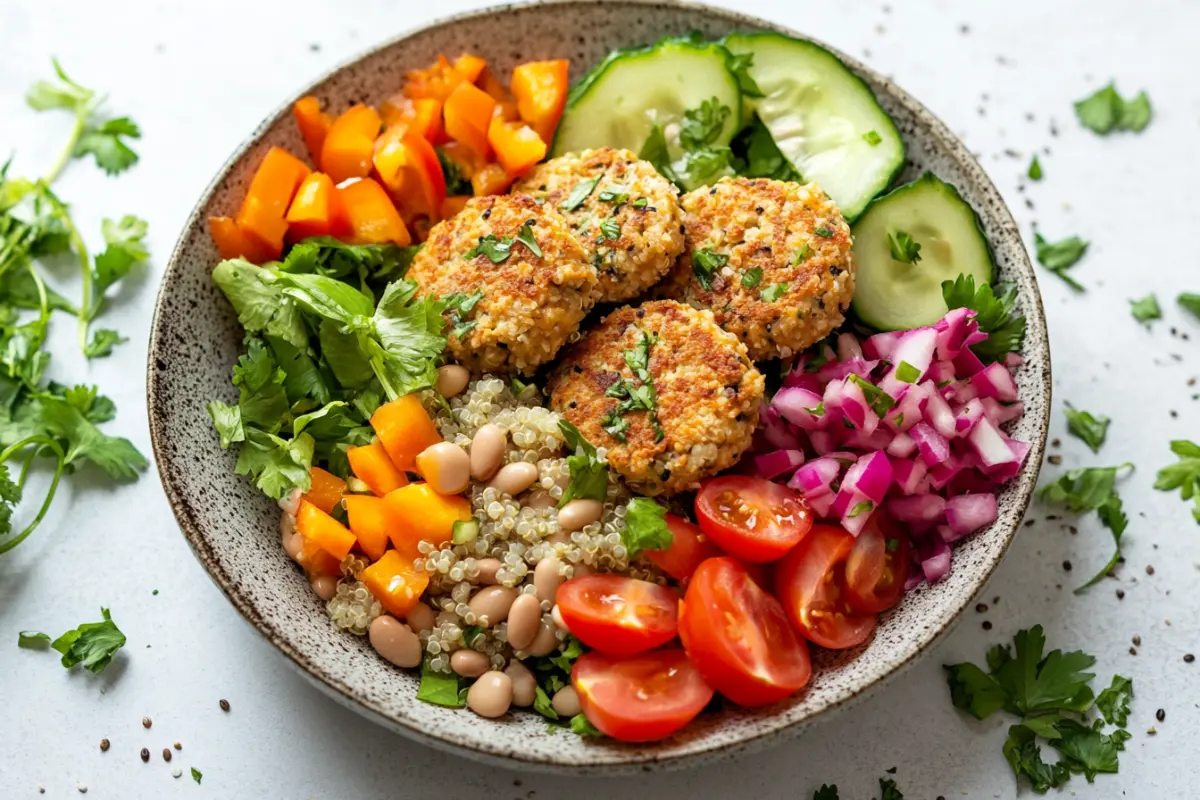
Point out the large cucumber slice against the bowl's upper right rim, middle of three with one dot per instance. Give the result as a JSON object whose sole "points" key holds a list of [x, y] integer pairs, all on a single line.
{"points": [[821, 117]]}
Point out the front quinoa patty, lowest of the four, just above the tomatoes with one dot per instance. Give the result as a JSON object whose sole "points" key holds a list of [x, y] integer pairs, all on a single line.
{"points": [[707, 395]]}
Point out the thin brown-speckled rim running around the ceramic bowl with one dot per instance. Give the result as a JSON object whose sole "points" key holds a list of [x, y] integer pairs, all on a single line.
{"points": [[191, 527]]}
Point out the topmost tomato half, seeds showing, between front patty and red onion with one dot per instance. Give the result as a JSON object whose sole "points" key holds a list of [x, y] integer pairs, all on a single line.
{"points": [[751, 518]]}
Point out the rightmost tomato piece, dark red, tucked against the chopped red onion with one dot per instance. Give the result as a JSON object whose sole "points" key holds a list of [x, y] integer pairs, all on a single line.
{"points": [[878, 566]]}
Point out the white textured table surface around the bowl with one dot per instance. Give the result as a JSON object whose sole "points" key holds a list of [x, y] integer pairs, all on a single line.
{"points": [[200, 76]]}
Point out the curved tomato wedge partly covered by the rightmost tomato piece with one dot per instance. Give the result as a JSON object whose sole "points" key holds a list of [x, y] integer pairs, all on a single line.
{"points": [[812, 585]]}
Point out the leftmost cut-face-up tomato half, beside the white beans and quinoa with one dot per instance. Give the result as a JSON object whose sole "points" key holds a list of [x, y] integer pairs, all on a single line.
{"points": [[619, 616]]}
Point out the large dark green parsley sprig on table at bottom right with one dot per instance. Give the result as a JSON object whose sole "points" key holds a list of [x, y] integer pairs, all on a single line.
{"points": [[1052, 695]]}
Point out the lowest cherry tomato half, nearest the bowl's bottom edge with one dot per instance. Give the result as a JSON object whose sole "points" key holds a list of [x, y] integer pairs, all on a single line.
{"points": [[640, 699]]}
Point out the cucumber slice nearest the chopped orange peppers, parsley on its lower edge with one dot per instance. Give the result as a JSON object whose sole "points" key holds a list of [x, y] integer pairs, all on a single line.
{"points": [[622, 100]]}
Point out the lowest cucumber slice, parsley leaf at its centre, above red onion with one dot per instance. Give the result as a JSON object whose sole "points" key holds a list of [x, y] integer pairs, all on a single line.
{"points": [[893, 296]]}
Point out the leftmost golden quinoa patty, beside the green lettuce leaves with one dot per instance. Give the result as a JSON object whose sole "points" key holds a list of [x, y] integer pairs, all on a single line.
{"points": [[531, 304]]}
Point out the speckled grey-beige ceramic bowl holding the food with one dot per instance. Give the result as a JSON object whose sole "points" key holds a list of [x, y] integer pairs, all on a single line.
{"points": [[235, 530]]}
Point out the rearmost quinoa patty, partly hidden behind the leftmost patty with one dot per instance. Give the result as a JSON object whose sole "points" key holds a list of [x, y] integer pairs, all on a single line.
{"points": [[629, 221]]}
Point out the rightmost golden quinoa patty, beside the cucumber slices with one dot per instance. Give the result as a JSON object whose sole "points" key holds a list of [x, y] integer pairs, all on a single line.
{"points": [[777, 258]]}
